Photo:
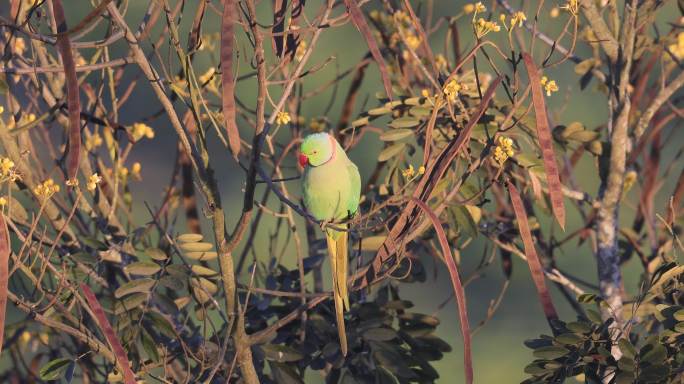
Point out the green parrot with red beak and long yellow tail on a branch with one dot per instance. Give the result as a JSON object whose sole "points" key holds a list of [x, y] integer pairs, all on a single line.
{"points": [[332, 190]]}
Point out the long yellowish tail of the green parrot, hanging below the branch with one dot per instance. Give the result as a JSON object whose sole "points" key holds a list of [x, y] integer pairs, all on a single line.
{"points": [[337, 249]]}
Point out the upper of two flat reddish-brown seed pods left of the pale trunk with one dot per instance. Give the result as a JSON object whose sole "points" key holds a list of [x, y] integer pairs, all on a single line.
{"points": [[545, 142]]}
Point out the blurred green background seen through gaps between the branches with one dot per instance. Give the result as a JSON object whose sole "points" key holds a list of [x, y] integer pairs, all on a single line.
{"points": [[498, 350]]}
